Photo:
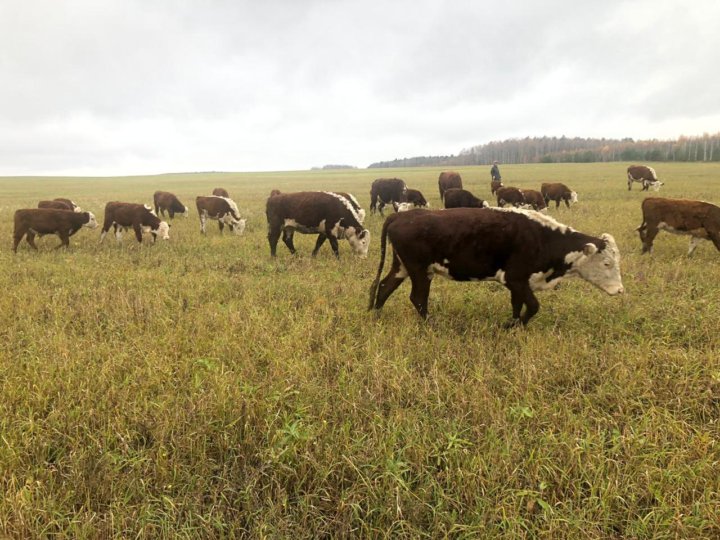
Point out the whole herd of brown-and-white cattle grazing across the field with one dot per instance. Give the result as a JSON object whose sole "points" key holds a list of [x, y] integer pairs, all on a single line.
{"points": [[520, 246]]}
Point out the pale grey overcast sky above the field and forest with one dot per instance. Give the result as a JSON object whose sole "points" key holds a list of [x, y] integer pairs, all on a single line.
{"points": [[113, 87]]}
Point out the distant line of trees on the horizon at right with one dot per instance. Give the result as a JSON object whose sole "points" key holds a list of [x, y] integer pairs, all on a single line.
{"points": [[572, 150]]}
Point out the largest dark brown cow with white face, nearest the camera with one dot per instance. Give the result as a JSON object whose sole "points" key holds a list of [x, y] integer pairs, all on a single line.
{"points": [[524, 250]]}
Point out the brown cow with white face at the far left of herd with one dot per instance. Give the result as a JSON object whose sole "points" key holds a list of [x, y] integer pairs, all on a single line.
{"points": [[30, 222]]}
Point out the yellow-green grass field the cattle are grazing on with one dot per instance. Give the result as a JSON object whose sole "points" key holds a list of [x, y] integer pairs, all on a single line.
{"points": [[198, 388]]}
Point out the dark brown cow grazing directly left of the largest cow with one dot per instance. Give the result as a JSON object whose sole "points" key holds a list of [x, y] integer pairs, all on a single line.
{"points": [[325, 213]]}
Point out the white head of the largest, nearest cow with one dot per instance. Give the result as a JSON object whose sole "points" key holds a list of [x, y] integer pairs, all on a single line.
{"points": [[601, 268]]}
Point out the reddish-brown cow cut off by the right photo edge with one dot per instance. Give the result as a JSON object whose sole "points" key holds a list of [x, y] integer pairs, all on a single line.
{"points": [[698, 219]]}
